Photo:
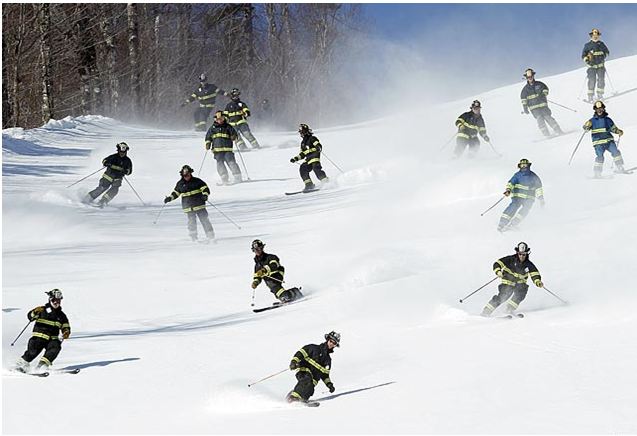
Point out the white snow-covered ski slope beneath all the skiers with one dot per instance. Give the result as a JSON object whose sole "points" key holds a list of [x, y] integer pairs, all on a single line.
{"points": [[163, 329]]}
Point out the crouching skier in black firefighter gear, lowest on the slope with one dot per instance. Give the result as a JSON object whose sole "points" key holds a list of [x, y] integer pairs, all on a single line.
{"points": [[313, 363]]}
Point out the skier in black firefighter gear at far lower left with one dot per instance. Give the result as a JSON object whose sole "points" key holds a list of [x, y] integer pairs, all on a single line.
{"points": [[49, 320]]}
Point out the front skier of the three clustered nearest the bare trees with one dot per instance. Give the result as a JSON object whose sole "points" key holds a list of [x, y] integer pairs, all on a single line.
{"points": [[220, 138]]}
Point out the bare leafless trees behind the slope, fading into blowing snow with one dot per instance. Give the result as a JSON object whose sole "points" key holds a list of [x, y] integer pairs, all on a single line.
{"points": [[140, 61]]}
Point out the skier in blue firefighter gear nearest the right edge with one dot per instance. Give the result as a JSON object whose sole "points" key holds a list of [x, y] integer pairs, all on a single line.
{"points": [[602, 127]]}
